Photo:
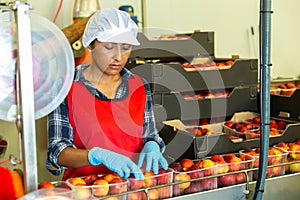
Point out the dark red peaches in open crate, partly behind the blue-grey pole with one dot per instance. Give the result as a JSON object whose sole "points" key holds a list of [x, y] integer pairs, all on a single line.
{"points": [[250, 128]]}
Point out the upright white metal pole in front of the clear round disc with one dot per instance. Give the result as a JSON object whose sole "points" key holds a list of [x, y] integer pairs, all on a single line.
{"points": [[25, 115]]}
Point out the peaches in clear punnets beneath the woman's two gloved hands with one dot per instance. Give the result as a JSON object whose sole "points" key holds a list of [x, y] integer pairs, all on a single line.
{"points": [[99, 186]]}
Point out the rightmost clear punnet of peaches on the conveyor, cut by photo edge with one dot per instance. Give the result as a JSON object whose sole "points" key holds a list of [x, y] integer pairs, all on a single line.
{"points": [[293, 150]]}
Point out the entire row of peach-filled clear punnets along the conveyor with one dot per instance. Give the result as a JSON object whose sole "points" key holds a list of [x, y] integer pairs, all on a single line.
{"points": [[230, 169]]}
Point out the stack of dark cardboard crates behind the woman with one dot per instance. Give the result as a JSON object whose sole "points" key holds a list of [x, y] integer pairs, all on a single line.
{"points": [[160, 63]]}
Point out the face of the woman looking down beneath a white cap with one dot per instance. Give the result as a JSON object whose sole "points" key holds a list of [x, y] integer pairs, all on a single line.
{"points": [[110, 58]]}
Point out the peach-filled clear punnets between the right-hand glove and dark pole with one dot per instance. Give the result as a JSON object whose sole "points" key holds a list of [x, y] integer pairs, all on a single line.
{"points": [[188, 169]]}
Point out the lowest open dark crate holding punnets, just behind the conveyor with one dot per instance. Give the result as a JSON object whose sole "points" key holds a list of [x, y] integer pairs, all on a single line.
{"points": [[184, 144]]}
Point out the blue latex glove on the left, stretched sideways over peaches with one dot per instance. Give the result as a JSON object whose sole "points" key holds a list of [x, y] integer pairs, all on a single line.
{"points": [[115, 162]]}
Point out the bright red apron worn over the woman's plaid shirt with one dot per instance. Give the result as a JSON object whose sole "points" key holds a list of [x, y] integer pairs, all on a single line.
{"points": [[115, 125]]}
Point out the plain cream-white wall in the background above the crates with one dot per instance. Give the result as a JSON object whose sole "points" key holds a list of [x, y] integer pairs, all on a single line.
{"points": [[231, 20]]}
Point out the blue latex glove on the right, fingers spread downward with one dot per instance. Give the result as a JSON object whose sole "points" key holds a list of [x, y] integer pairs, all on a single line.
{"points": [[151, 152]]}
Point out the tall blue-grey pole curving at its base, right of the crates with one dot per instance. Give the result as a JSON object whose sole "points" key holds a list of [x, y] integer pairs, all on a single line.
{"points": [[265, 35]]}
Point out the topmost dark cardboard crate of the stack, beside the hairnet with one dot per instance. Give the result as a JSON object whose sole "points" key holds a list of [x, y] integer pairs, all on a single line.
{"points": [[199, 43]]}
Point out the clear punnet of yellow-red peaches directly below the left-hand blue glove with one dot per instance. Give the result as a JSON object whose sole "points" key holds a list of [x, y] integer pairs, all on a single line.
{"points": [[98, 186]]}
